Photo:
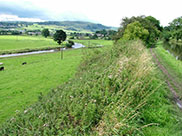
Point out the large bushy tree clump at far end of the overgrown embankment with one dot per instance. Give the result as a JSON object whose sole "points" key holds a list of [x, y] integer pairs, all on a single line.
{"points": [[148, 23]]}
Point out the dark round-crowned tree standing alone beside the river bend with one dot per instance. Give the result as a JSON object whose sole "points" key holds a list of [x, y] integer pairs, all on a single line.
{"points": [[59, 36]]}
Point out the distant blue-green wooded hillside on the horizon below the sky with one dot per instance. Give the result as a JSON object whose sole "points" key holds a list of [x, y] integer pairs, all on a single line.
{"points": [[78, 26]]}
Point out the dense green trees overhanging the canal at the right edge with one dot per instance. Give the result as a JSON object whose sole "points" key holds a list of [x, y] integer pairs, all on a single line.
{"points": [[172, 36]]}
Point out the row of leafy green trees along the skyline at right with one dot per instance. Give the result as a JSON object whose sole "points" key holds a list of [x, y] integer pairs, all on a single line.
{"points": [[149, 30]]}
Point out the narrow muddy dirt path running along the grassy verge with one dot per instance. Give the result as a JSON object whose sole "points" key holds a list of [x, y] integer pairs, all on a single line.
{"points": [[169, 80]]}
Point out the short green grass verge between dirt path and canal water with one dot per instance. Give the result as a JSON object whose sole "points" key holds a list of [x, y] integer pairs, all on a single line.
{"points": [[173, 66]]}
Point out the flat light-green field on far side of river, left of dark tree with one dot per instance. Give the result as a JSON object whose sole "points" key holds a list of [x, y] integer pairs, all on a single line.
{"points": [[24, 42]]}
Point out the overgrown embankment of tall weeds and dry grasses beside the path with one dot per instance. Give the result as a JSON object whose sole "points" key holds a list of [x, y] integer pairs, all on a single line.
{"points": [[113, 93]]}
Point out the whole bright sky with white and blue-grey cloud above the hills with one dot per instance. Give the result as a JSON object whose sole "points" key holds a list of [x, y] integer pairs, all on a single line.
{"points": [[106, 12]]}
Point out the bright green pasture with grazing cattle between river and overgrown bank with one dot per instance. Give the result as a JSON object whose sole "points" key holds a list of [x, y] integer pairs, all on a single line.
{"points": [[20, 85]]}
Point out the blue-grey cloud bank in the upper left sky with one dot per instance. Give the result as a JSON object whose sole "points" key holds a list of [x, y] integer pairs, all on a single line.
{"points": [[27, 10]]}
